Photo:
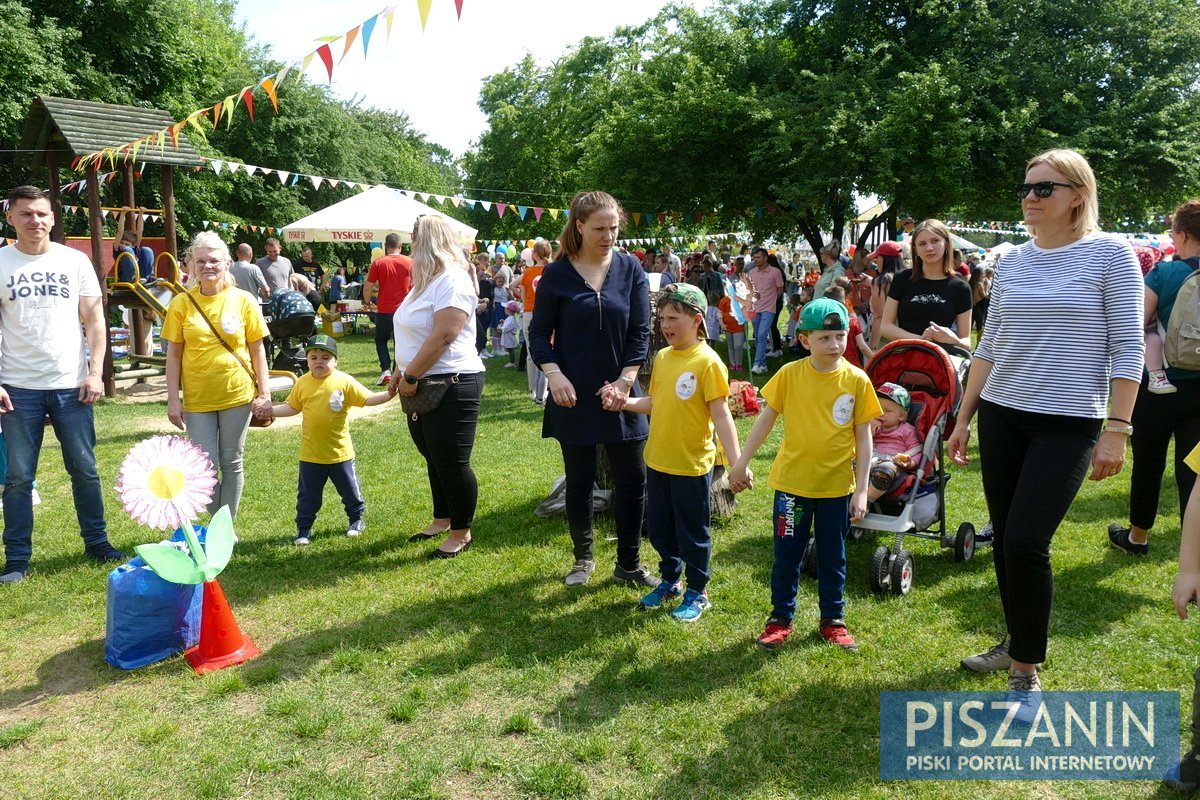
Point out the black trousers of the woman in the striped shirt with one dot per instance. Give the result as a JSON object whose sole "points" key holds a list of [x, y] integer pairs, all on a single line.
{"points": [[1033, 468]]}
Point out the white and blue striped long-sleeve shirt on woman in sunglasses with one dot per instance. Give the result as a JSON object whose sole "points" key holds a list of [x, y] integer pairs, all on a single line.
{"points": [[1063, 323]]}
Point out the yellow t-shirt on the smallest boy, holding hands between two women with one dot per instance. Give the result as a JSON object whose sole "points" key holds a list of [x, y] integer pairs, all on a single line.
{"points": [[326, 405]]}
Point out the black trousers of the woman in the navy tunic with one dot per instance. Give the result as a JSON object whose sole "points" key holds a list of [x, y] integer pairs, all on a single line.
{"points": [[628, 497]]}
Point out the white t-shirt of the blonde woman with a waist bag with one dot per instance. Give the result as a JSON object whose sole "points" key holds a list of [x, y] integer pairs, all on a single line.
{"points": [[413, 323]]}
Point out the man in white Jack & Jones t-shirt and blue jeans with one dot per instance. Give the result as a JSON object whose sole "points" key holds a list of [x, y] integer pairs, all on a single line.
{"points": [[51, 318]]}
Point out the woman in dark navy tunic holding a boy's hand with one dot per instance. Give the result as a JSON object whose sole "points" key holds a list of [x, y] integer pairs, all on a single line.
{"points": [[590, 336]]}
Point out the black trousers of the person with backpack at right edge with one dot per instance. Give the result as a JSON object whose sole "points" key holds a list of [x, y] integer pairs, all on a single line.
{"points": [[1156, 420]]}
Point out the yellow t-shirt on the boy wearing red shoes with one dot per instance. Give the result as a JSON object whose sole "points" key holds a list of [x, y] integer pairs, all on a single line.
{"points": [[820, 412]]}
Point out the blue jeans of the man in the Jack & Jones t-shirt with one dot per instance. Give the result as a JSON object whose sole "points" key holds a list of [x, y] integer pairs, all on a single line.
{"points": [[76, 431]]}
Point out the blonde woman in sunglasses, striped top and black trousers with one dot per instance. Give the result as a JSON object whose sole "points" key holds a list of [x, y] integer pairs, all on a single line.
{"points": [[1043, 406]]}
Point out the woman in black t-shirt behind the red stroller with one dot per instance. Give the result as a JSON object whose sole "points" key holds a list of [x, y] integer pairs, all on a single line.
{"points": [[931, 302]]}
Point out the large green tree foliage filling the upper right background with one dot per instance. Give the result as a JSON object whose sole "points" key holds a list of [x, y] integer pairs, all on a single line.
{"points": [[797, 106]]}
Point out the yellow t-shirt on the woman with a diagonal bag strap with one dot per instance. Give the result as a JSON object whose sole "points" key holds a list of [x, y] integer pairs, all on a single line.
{"points": [[211, 377]]}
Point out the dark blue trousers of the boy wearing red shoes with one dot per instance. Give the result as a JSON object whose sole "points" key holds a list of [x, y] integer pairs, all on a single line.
{"points": [[796, 520]]}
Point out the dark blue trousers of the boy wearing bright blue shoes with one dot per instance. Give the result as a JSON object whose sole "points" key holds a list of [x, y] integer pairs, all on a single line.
{"points": [[679, 518]]}
